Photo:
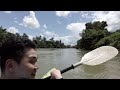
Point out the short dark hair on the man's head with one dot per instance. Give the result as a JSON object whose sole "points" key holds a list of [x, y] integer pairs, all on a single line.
{"points": [[14, 48]]}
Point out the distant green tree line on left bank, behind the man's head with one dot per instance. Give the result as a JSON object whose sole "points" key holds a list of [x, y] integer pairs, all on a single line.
{"points": [[40, 42]]}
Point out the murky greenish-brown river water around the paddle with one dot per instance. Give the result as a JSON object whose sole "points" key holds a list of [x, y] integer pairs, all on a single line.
{"points": [[63, 58]]}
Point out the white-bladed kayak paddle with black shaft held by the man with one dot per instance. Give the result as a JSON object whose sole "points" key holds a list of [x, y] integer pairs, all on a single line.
{"points": [[94, 57]]}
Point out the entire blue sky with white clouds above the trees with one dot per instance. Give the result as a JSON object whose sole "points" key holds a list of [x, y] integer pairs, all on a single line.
{"points": [[62, 25]]}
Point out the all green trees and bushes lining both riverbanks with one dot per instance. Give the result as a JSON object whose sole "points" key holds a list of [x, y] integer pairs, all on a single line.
{"points": [[94, 35]]}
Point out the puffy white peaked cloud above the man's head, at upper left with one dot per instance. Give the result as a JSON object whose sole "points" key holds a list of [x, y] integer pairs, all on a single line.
{"points": [[31, 21]]}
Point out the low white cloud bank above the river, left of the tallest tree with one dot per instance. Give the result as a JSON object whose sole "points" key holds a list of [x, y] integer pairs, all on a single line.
{"points": [[76, 28]]}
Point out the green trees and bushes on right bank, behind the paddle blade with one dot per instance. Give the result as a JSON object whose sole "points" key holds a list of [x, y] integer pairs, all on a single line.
{"points": [[96, 35]]}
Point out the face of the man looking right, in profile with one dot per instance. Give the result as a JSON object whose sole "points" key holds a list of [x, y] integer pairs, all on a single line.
{"points": [[27, 67]]}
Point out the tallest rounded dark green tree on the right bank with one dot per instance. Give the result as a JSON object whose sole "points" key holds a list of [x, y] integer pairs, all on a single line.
{"points": [[92, 34]]}
